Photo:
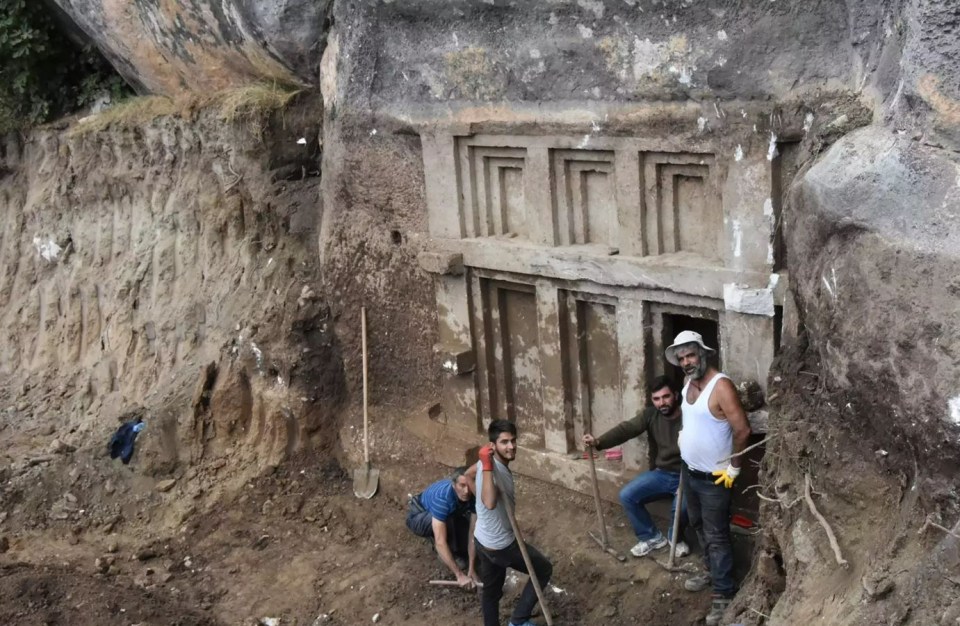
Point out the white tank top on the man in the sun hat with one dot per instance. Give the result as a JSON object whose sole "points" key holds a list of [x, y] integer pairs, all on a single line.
{"points": [[704, 439]]}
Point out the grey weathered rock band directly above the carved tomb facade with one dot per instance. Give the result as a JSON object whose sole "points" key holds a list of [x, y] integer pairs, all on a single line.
{"points": [[604, 51]]}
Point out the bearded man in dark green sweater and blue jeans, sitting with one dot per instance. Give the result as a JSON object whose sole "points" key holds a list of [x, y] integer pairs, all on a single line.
{"points": [[661, 423]]}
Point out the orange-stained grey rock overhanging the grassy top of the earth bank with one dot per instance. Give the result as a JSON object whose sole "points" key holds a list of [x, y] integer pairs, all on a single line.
{"points": [[168, 47]]}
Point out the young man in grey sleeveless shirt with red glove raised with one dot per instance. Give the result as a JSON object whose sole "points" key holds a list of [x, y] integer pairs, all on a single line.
{"points": [[495, 540]]}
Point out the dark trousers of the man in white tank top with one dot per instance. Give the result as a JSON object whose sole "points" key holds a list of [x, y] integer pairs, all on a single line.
{"points": [[708, 506]]}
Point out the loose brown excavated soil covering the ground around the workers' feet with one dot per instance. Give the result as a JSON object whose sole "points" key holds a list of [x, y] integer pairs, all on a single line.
{"points": [[93, 542]]}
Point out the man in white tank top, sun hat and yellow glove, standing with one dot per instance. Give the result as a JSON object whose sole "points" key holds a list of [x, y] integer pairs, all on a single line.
{"points": [[714, 427]]}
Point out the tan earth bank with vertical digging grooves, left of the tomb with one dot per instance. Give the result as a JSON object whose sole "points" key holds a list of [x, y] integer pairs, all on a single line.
{"points": [[176, 271]]}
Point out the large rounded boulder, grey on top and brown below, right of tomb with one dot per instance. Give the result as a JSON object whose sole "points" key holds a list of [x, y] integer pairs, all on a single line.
{"points": [[881, 291]]}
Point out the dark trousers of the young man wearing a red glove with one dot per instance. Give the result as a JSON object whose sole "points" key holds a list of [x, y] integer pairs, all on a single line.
{"points": [[493, 573]]}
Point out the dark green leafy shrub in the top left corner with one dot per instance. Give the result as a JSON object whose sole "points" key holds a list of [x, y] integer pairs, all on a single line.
{"points": [[43, 73]]}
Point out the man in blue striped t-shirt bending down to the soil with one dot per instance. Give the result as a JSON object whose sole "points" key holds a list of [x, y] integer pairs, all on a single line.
{"points": [[446, 513]]}
